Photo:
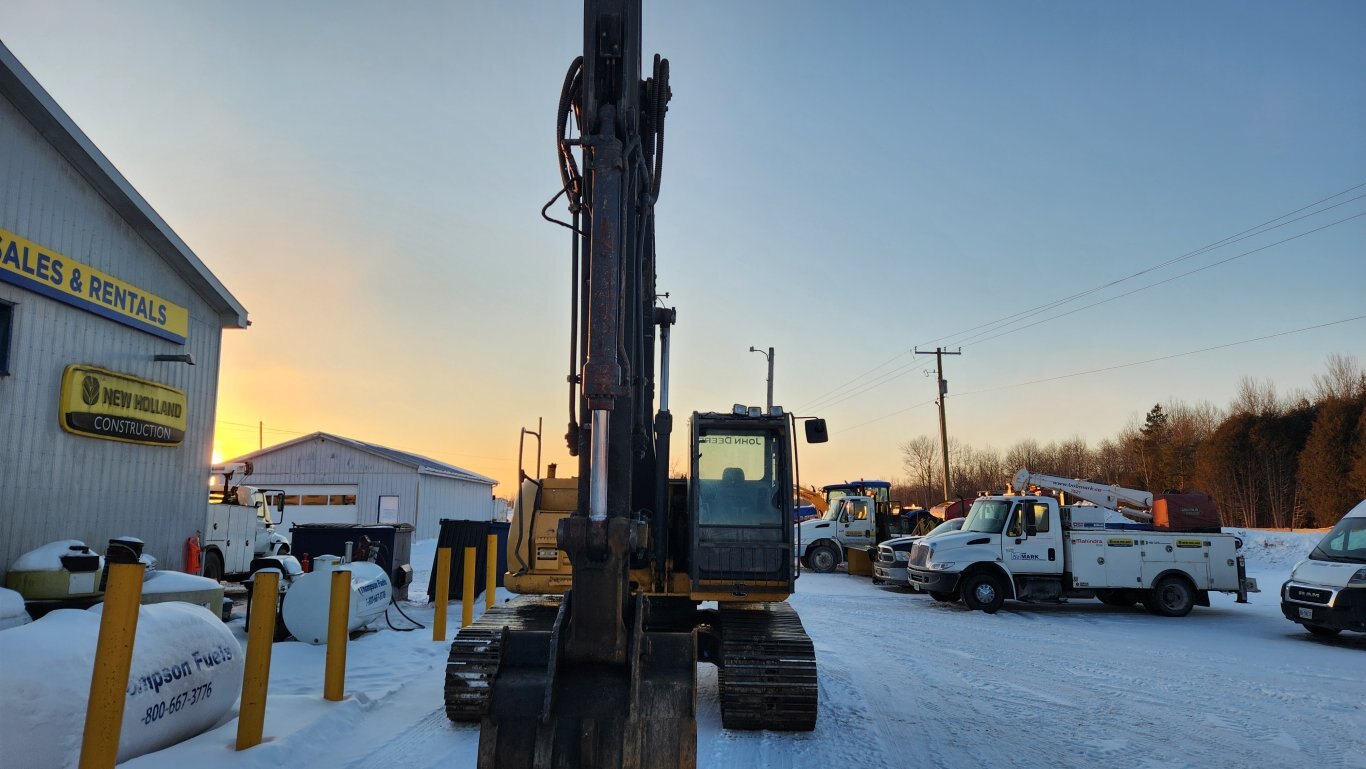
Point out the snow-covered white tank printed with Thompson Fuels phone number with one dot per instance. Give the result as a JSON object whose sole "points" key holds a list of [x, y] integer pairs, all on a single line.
{"points": [[186, 675]]}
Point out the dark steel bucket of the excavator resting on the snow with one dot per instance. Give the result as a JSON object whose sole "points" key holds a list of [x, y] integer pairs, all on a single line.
{"points": [[550, 714]]}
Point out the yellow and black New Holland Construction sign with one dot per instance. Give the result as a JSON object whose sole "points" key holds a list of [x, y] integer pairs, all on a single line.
{"points": [[114, 406]]}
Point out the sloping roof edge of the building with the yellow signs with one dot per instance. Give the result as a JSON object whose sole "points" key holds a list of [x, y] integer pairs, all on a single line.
{"points": [[62, 133]]}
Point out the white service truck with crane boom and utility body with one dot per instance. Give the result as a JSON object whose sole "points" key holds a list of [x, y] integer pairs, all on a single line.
{"points": [[1032, 548]]}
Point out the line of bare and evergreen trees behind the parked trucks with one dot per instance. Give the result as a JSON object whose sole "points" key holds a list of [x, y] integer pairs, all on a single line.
{"points": [[1268, 461]]}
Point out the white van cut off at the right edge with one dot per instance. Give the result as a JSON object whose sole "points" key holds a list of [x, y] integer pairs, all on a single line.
{"points": [[1327, 592]]}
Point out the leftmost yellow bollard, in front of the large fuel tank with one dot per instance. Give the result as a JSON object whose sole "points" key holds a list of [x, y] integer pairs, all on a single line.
{"points": [[113, 659]]}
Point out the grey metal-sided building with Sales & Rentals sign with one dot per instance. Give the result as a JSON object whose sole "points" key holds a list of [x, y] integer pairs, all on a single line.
{"points": [[106, 428]]}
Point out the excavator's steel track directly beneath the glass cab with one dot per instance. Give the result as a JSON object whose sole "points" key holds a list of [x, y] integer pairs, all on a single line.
{"points": [[767, 673]]}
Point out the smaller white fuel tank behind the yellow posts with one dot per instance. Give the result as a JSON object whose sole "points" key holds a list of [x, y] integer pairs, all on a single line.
{"points": [[309, 599]]}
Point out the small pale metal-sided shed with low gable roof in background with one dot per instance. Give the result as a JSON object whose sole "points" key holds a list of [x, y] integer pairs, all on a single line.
{"points": [[335, 480]]}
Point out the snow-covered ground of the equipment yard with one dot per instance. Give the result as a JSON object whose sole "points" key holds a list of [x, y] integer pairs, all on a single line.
{"points": [[905, 682]]}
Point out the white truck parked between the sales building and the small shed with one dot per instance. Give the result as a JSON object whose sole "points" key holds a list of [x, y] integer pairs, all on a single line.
{"points": [[240, 527]]}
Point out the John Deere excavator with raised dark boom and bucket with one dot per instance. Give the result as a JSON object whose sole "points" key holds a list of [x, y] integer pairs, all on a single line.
{"points": [[595, 666]]}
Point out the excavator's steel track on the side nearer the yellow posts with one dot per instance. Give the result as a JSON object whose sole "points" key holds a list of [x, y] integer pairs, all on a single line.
{"points": [[475, 654]]}
